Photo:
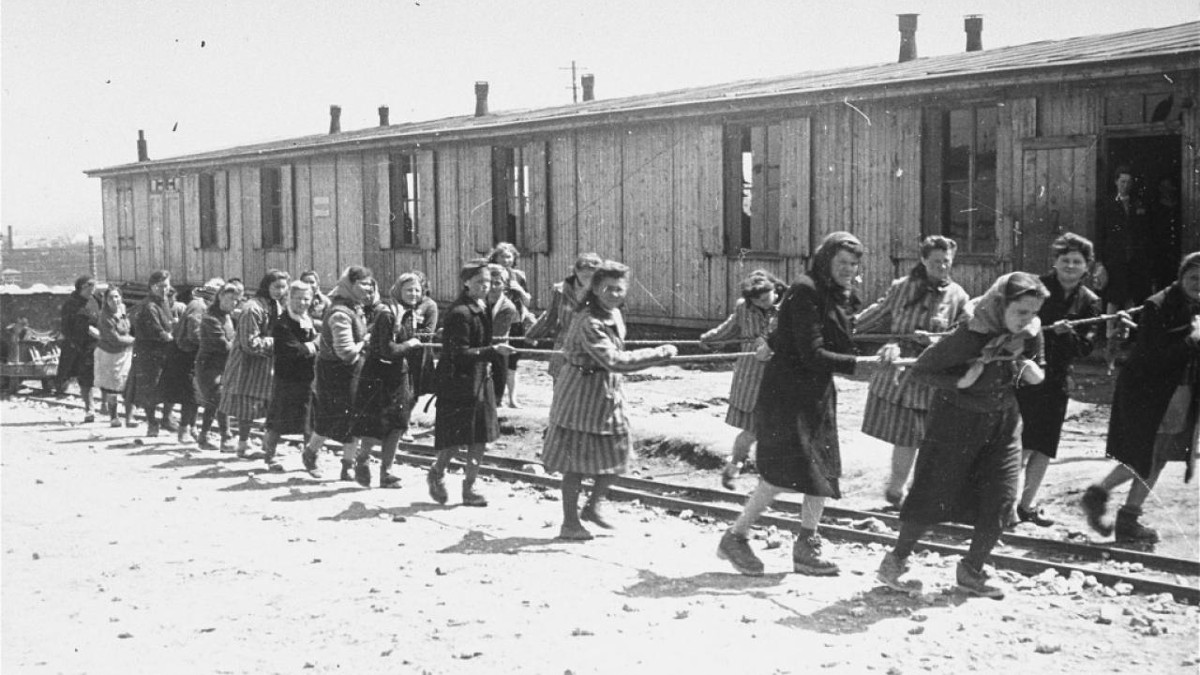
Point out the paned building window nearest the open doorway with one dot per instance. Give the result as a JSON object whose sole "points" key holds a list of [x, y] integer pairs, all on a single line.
{"points": [[969, 178]]}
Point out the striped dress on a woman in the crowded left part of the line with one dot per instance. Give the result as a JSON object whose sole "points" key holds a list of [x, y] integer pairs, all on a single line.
{"points": [[247, 383]]}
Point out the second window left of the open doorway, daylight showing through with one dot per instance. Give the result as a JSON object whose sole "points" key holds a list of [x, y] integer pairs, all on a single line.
{"points": [[752, 178]]}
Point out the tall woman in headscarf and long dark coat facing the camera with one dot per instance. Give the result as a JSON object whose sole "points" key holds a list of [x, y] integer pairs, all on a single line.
{"points": [[796, 415]]}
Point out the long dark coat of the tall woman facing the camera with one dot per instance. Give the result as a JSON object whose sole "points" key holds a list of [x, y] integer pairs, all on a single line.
{"points": [[796, 417]]}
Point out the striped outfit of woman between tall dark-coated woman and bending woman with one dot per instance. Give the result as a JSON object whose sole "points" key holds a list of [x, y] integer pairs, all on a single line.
{"points": [[896, 404]]}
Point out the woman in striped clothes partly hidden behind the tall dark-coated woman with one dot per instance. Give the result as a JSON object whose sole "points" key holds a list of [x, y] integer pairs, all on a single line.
{"points": [[752, 322]]}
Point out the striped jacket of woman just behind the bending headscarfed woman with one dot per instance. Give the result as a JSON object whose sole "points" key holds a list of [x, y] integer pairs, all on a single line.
{"points": [[939, 313]]}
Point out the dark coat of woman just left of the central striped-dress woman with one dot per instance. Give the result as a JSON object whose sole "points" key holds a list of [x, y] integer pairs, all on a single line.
{"points": [[466, 404]]}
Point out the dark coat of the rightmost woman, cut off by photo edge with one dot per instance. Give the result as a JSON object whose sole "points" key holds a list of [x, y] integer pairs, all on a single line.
{"points": [[1162, 357]]}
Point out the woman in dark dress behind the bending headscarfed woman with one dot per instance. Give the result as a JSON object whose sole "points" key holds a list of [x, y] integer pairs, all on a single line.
{"points": [[1045, 407]]}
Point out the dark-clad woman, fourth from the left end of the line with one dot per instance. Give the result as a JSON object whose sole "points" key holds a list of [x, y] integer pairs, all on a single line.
{"points": [[178, 374]]}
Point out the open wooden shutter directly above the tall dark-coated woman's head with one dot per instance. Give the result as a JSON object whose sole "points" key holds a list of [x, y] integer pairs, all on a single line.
{"points": [[796, 178]]}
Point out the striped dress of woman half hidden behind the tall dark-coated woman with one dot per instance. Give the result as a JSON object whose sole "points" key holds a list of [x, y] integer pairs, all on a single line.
{"points": [[748, 324]]}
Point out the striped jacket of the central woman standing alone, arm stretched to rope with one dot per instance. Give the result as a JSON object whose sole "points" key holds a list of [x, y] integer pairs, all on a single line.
{"points": [[589, 395]]}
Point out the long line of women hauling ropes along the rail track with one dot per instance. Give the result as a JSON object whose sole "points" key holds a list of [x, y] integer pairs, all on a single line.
{"points": [[951, 386]]}
